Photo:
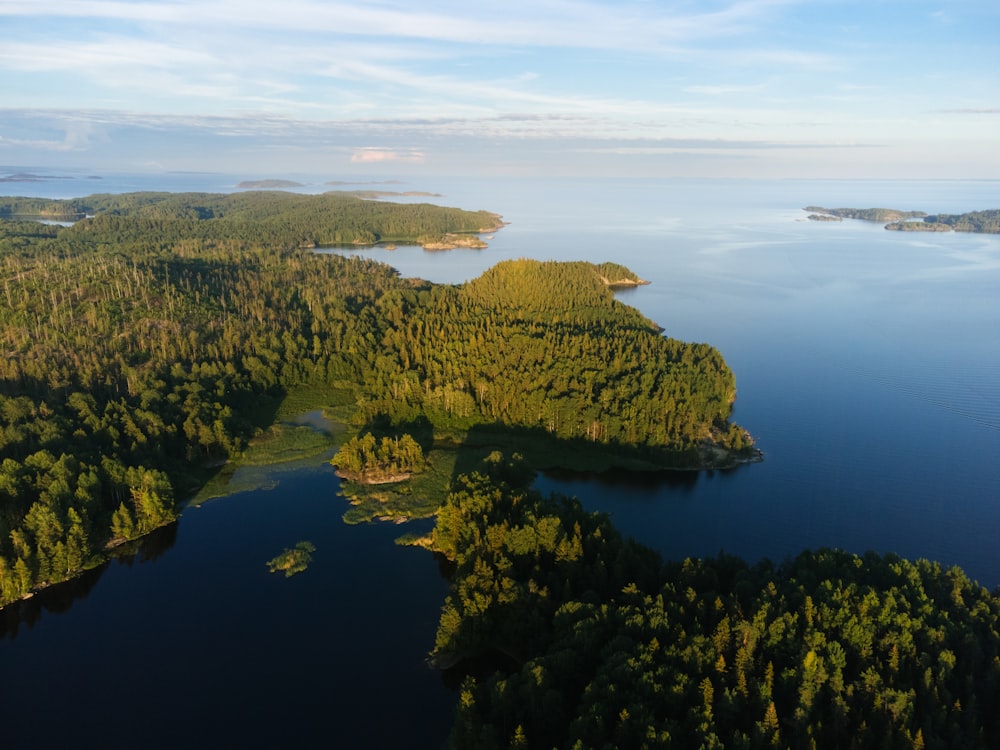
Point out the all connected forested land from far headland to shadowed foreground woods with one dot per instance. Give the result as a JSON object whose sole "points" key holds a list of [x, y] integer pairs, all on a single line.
{"points": [[155, 340]]}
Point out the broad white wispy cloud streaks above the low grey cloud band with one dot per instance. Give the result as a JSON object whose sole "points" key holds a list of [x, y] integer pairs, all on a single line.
{"points": [[351, 58]]}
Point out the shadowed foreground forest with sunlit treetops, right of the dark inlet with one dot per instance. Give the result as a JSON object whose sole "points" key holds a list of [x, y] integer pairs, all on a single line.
{"points": [[571, 637]]}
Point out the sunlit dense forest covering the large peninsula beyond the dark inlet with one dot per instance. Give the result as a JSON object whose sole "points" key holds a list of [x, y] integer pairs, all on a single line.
{"points": [[144, 346]]}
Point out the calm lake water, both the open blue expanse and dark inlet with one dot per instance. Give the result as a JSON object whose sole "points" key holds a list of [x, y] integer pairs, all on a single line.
{"points": [[868, 369]]}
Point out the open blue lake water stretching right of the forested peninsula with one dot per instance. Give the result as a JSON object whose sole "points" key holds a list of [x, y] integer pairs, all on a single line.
{"points": [[867, 361]]}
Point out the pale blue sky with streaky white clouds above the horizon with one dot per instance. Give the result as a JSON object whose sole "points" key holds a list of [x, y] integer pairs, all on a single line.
{"points": [[645, 88]]}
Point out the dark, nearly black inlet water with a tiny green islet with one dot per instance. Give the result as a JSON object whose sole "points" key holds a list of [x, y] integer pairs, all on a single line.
{"points": [[202, 647]]}
